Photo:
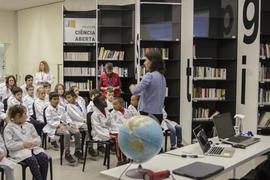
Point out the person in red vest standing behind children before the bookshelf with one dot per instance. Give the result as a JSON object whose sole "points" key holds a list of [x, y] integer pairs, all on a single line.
{"points": [[110, 80]]}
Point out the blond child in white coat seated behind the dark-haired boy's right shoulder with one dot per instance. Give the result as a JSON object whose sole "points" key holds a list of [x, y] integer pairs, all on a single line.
{"points": [[39, 105]]}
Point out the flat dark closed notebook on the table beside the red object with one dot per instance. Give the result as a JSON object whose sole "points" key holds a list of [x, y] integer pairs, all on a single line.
{"points": [[198, 170]]}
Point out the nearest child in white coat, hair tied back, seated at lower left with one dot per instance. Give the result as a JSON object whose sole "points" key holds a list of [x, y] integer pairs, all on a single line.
{"points": [[23, 143]]}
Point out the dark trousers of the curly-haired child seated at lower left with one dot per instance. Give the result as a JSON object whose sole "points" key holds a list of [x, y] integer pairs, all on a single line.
{"points": [[38, 165]]}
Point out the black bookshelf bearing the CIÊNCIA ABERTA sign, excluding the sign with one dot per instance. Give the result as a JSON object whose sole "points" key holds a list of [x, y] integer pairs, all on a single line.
{"points": [[79, 63]]}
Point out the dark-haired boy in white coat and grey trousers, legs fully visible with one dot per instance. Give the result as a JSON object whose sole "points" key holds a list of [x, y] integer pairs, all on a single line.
{"points": [[59, 123]]}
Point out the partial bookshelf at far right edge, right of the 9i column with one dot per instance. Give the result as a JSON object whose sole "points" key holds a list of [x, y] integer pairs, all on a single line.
{"points": [[264, 71]]}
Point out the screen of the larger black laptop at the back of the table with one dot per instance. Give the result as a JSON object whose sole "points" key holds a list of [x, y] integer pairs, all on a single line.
{"points": [[224, 125]]}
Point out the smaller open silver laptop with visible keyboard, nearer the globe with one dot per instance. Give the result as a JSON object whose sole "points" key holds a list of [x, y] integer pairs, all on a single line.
{"points": [[206, 147]]}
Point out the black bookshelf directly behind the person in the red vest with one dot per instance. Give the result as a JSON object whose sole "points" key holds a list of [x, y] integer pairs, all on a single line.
{"points": [[116, 26]]}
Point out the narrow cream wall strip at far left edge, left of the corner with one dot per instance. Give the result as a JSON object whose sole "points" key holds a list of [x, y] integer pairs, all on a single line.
{"points": [[8, 34]]}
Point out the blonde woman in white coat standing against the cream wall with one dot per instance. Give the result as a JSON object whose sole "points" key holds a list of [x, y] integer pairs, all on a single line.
{"points": [[43, 75]]}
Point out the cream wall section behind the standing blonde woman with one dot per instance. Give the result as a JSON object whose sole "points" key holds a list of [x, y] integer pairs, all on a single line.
{"points": [[40, 37]]}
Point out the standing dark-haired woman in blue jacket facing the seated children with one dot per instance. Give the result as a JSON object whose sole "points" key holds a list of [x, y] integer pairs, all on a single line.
{"points": [[152, 87]]}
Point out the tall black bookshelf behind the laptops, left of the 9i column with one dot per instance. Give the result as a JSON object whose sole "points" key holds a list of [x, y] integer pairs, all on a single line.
{"points": [[214, 64]]}
